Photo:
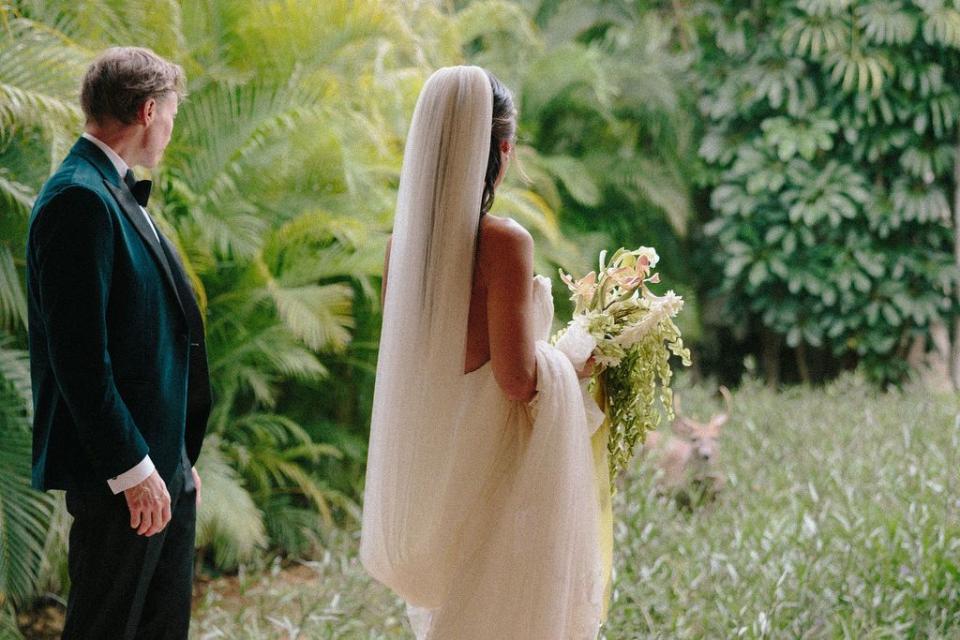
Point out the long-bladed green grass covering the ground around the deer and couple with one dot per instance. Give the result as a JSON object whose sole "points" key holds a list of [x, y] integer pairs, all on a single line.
{"points": [[839, 520]]}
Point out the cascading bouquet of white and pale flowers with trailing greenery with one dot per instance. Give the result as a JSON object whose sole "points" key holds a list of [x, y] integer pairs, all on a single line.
{"points": [[630, 333]]}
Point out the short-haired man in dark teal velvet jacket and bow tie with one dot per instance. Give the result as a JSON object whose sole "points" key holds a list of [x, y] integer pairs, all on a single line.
{"points": [[120, 385]]}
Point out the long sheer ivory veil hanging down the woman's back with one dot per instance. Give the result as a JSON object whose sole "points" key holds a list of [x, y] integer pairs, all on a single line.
{"points": [[414, 492]]}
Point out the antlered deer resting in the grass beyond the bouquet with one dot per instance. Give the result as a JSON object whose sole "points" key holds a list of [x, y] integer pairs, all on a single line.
{"points": [[689, 459]]}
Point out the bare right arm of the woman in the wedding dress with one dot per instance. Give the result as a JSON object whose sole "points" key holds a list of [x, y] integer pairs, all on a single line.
{"points": [[506, 262]]}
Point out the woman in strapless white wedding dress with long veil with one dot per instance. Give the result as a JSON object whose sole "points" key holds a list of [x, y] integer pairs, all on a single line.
{"points": [[480, 507]]}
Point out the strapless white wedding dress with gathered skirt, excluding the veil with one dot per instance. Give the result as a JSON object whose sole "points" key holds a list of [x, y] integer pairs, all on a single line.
{"points": [[528, 563]]}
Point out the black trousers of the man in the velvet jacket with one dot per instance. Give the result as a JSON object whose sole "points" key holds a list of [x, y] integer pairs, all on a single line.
{"points": [[125, 586]]}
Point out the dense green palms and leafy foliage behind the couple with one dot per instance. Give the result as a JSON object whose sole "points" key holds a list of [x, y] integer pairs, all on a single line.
{"points": [[794, 163]]}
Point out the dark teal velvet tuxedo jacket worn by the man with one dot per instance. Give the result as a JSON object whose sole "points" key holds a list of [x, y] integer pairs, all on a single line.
{"points": [[117, 353]]}
